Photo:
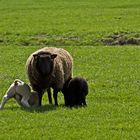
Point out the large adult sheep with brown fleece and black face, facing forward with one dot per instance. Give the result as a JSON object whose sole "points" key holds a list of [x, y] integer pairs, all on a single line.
{"points": [[47, 68]]}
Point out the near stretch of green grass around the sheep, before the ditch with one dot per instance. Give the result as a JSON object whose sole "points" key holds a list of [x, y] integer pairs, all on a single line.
{"points": [[113, 100]]}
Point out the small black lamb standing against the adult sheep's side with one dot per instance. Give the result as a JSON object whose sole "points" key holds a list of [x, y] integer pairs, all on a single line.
{"points": [[75, 91]]}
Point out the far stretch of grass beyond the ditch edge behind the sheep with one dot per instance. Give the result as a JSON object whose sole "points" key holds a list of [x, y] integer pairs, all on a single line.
{"points": [[61, 22]]}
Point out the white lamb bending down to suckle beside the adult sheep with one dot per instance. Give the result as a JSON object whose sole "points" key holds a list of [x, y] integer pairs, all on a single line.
{"points": [[22, 94]]}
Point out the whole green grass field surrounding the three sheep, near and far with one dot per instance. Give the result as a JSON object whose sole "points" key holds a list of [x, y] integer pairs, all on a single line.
{"points": [[82, 28]]}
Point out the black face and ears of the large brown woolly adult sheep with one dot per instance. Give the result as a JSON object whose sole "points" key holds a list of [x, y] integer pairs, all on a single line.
{"points": [[44, 63]]}
